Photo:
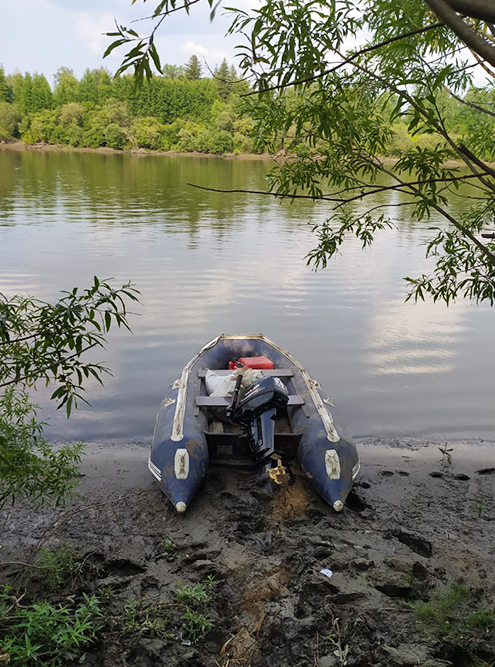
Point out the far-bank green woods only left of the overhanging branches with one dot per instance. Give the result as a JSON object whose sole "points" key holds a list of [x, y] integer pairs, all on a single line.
{"points": [[178, 111]]}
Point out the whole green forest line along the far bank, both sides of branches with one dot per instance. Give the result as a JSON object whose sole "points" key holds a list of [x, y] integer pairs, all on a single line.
{"points": [[182, 110]]}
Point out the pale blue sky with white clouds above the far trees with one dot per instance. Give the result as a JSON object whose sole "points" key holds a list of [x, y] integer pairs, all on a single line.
{"points": [[43, 35]]}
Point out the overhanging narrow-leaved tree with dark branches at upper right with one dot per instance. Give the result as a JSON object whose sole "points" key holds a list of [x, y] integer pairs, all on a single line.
{"points": [[335, 100]]}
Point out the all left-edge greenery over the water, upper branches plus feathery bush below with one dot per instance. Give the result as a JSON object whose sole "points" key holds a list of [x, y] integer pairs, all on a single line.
{"points": [[46, 343]]}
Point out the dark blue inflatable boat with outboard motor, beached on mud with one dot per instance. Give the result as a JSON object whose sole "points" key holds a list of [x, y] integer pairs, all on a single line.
{"points": [[281, 415]]}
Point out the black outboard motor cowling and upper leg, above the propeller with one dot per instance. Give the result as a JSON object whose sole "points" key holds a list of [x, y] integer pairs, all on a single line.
{"points": [[257, 411]]}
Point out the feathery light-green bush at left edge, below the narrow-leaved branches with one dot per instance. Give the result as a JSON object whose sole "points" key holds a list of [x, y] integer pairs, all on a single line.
{"points": [[29, 467]]}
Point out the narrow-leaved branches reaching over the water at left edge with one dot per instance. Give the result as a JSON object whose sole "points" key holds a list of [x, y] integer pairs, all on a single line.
{"points": [[46, 342]]}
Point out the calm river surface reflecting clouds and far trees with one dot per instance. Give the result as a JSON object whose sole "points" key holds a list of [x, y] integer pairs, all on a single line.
{"points": [[207, 263]]}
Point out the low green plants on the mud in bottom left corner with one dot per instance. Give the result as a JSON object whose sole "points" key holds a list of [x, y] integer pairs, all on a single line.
{"points": [[45, 634]]}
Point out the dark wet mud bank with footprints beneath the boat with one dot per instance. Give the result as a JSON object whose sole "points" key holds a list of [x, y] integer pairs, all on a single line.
{"points": [[422, 517]]}
